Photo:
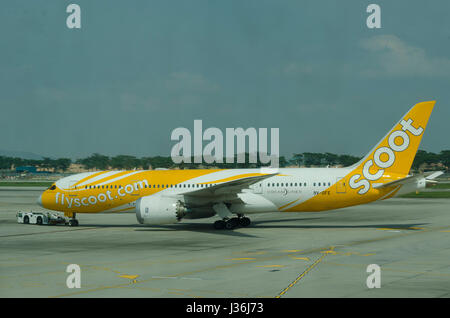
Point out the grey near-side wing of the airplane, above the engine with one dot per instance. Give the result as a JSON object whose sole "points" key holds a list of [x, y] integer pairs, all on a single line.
{"points": [[228, 187]]}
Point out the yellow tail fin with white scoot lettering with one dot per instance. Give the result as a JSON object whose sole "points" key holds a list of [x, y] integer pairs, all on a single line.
{"points": [[394, 154]]}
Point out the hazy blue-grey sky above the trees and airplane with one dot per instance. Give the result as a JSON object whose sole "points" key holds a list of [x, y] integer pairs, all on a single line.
{"points": [[136, 70]]}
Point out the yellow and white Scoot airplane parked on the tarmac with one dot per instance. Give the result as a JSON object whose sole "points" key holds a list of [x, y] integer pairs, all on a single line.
{"points": [[168, 196]]}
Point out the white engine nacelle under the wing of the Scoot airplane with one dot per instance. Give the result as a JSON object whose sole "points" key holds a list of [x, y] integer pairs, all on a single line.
{"points": [[156, 210]]}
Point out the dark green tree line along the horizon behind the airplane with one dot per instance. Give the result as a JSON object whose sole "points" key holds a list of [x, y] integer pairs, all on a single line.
{"points": [[307, 159]]}
